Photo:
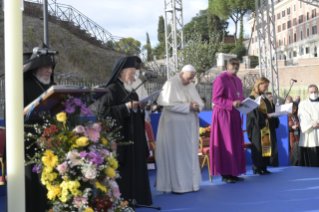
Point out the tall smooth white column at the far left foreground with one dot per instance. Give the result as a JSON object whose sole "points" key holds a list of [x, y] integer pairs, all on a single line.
{"points": [[14, 105]]}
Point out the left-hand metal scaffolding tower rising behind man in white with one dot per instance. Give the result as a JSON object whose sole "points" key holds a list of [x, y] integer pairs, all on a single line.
{"points": [[174, 38]]}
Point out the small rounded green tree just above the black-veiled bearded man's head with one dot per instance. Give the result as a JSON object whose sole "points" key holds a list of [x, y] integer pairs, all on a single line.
{"points": [[128, 45]]}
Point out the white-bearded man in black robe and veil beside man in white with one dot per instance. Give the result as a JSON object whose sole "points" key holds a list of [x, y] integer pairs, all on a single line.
{"points": [[132, 164]]}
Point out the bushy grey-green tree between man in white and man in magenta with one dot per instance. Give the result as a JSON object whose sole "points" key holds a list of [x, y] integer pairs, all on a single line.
{"points": [[201, 54]]}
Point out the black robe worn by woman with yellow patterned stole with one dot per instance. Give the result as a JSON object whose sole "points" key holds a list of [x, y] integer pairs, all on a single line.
{"points": [[256, 121]]}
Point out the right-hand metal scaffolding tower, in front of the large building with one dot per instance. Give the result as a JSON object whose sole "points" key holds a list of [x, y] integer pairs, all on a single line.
{"points": [[266, 34]]}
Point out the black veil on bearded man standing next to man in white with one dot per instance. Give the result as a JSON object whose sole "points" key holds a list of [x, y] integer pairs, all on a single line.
{"points": [[120, 64]]}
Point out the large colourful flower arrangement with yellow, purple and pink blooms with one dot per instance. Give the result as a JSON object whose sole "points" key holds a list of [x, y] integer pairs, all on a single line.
{"points": [[77, 160]]}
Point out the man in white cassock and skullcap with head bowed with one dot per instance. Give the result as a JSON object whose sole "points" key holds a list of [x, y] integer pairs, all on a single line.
{"points": [[178, 135]]}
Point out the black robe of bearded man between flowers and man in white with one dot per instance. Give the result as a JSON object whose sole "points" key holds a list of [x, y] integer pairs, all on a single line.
{"points": [[114, 107]]}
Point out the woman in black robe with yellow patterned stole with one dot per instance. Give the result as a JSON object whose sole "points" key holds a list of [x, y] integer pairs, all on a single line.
{"points": [[261, 130]]}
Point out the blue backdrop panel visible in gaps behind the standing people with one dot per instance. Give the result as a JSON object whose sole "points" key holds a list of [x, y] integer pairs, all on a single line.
{"points": [[282, 135]]}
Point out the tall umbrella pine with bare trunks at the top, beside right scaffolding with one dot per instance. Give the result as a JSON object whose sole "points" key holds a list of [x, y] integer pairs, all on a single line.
{"points": [[234, 10]]}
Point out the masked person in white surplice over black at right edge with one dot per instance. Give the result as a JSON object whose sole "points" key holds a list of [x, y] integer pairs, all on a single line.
{"points": [[308, 114]]}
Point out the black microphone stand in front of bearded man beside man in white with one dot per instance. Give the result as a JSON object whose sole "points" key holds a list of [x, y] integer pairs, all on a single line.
{"points": [[134, 202]]}
